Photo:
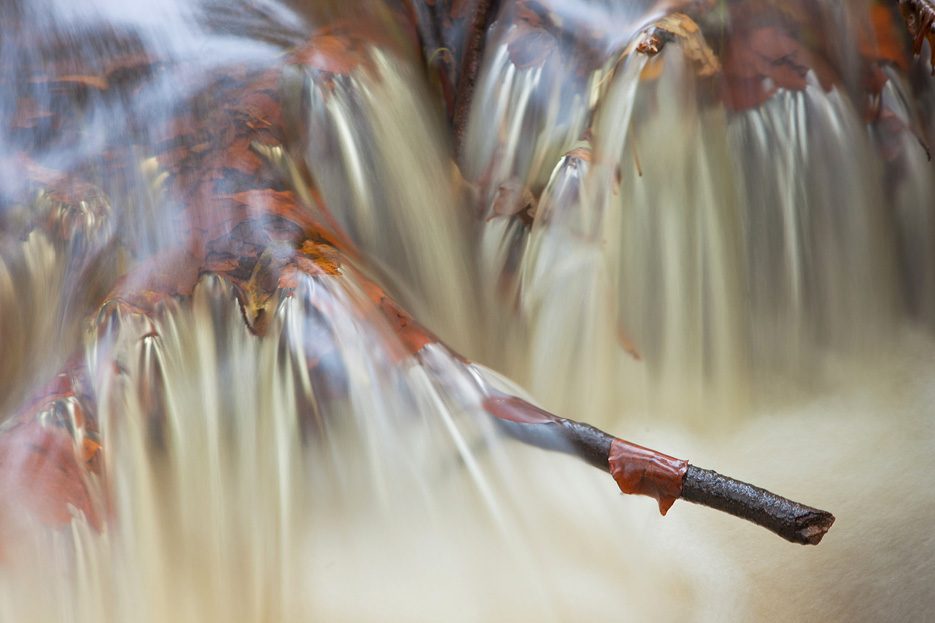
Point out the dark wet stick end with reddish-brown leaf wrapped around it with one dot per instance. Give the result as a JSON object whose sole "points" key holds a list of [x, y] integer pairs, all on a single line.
{"points": [[647, 472]]}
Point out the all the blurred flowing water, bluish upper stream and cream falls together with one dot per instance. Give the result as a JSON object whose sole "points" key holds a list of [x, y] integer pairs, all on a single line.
{"points": [[752, 287]]}
